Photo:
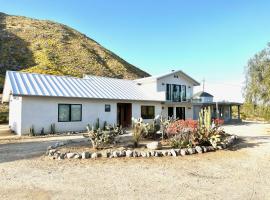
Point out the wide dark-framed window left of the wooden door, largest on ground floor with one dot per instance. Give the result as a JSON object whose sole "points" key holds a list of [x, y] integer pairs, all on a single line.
{"points": [[69, 112]]}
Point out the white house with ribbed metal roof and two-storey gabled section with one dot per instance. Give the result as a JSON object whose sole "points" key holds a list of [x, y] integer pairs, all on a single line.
{"points": [[71, 103]]}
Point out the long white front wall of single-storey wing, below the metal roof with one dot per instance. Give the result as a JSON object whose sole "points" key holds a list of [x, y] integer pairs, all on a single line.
{"points": [[41, 112]]}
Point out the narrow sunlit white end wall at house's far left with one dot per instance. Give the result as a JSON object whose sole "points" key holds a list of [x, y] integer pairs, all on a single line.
{"points": [[15, 107]]}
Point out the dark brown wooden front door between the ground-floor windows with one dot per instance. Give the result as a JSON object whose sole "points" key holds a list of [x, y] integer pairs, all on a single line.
{"points": [[124, 114]]}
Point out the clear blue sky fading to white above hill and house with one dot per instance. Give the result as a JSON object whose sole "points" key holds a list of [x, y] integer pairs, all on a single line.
{"points": [[211, 39]]}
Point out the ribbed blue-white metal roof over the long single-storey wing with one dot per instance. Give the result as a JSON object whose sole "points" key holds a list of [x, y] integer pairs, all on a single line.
{"points": [[31, 84]]}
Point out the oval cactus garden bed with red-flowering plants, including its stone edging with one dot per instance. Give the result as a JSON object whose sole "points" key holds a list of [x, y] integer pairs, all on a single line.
{"points": [[159, 138]]}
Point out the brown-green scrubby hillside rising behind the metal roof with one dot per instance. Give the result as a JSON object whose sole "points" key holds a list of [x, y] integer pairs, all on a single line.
{"points": [[48, 47]]}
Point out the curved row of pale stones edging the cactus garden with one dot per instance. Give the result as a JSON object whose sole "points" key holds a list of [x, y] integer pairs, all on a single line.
{"points": [[53, 153]]}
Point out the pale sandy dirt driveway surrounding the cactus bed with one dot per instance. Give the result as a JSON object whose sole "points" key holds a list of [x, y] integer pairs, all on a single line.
{"points": [[241, 172]]}
